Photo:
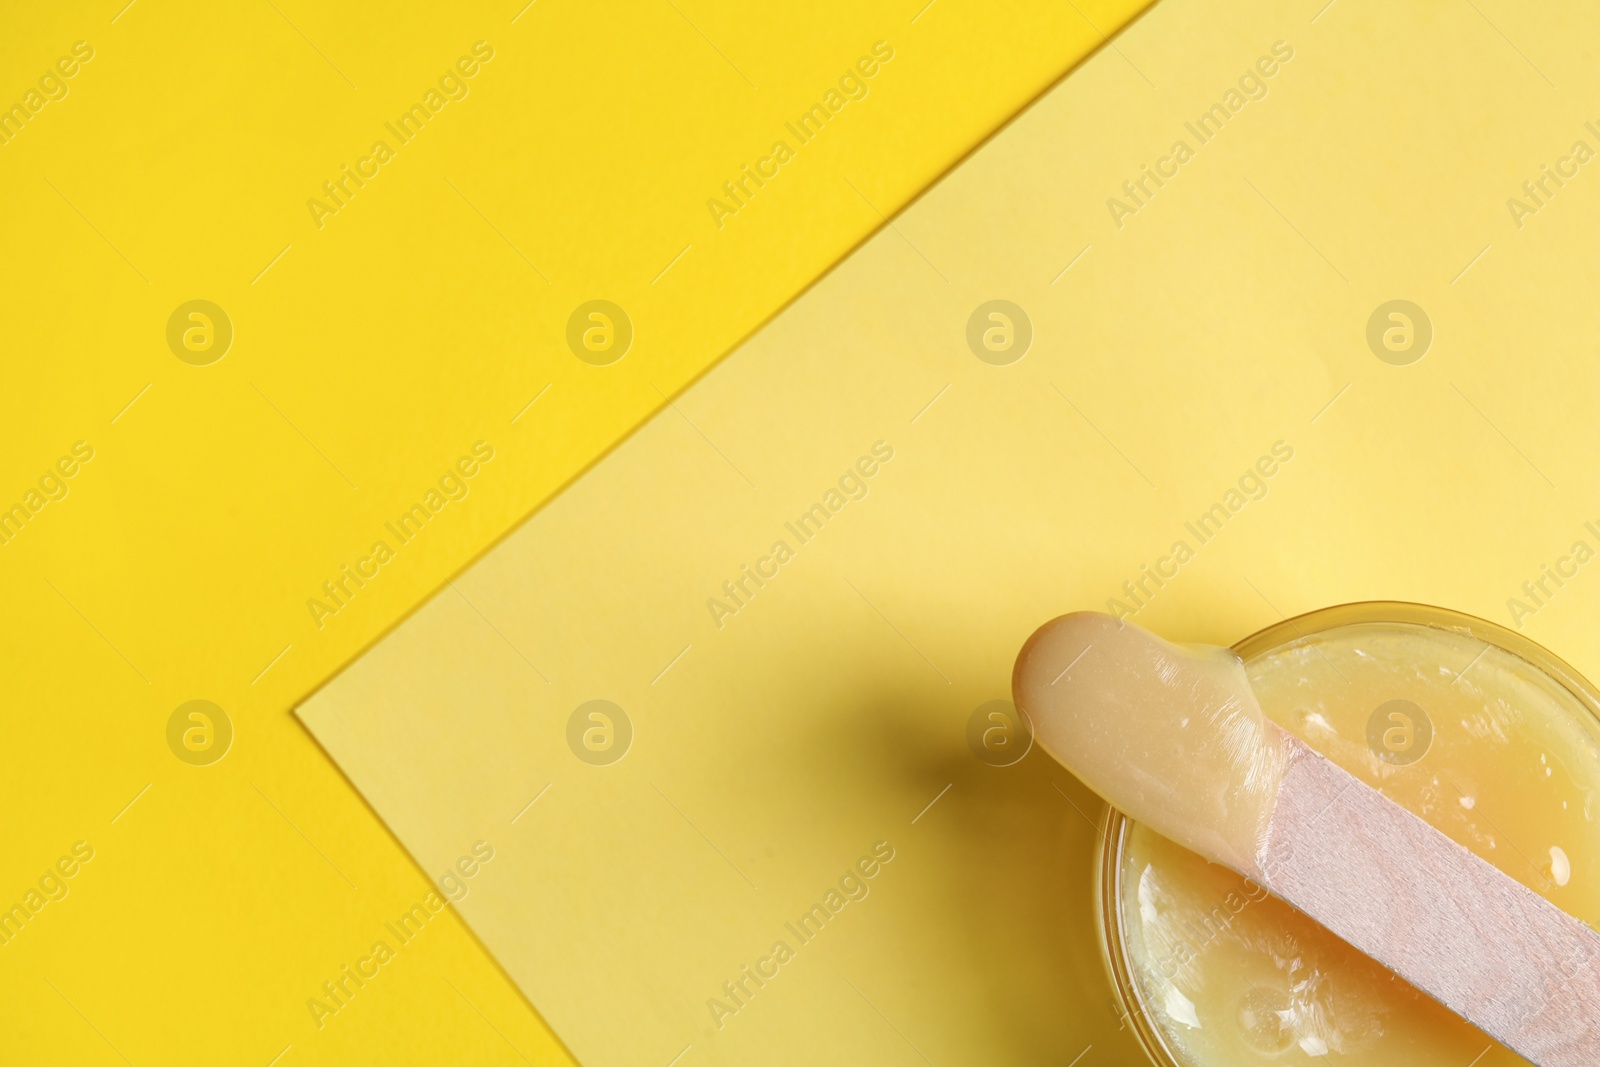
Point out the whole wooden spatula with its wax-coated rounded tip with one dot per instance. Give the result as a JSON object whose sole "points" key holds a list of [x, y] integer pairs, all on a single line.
{"points": [[1175, 738]]}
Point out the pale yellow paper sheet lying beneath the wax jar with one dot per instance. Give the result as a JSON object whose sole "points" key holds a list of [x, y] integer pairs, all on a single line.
{"points": [[1225, 318]]}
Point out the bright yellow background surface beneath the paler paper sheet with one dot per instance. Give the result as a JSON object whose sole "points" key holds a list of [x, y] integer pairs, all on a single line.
{"points": [[367, 358]]}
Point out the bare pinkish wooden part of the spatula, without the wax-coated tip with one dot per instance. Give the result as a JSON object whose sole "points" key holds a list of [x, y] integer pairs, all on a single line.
{"points": [[1455, 927]]}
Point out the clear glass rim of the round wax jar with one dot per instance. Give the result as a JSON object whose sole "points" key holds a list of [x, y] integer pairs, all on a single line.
{"points": [[1114, 825]]}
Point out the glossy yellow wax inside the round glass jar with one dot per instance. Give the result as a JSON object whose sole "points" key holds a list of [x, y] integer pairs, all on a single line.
{"points": [[1233, 977]]}
